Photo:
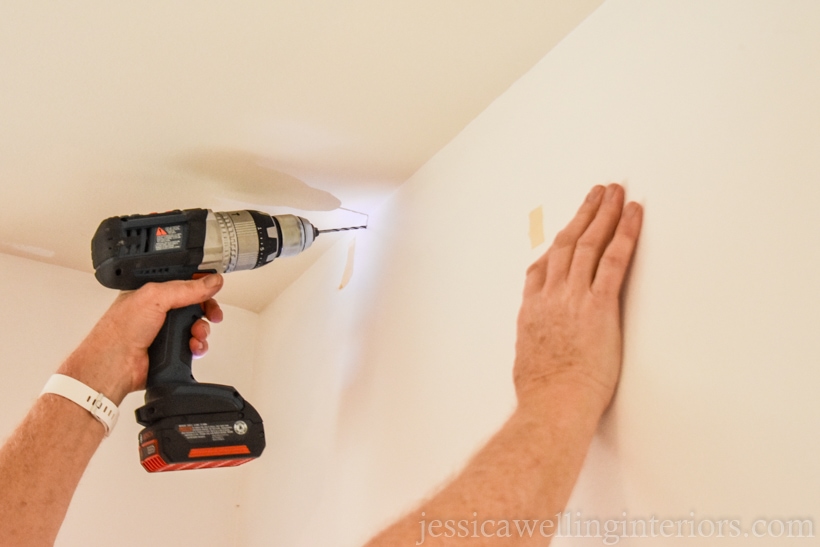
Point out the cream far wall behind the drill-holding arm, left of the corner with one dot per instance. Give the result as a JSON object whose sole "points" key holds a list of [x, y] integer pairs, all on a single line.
{"points": [[47, 310]]}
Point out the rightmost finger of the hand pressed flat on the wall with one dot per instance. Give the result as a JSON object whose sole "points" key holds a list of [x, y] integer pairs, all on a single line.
{"points": [[615, 260]]}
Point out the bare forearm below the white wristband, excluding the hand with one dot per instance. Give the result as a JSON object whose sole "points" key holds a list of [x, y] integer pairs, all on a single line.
{"points": [[41, 465]]}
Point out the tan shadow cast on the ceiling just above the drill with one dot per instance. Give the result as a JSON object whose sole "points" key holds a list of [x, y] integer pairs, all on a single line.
{"points": [[252, 179]]}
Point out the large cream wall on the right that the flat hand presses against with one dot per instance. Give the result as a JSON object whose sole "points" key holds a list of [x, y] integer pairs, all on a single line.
{"points": [[709, 113]]}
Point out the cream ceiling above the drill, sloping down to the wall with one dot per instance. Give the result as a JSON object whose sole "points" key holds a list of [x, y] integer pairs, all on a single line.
{"points": [[111, 108]]}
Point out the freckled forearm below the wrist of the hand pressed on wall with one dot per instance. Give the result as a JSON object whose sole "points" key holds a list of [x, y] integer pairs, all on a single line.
{"points": [[526, 471]]}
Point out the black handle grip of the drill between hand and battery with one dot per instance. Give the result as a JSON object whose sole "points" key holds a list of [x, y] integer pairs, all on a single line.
{"points": [[169, 356]]}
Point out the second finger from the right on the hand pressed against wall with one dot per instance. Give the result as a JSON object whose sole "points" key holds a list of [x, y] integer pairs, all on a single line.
{"points": [[594, 241]]}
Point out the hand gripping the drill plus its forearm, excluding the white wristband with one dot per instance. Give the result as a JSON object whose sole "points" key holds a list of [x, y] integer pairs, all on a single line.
{"points": [[43, 460]]}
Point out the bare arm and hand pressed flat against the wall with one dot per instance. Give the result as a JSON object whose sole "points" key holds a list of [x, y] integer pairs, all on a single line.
{"points": [[568, 359]]}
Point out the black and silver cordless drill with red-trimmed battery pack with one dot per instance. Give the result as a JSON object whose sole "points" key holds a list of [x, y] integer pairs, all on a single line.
{"points": [[192, 425]]}
